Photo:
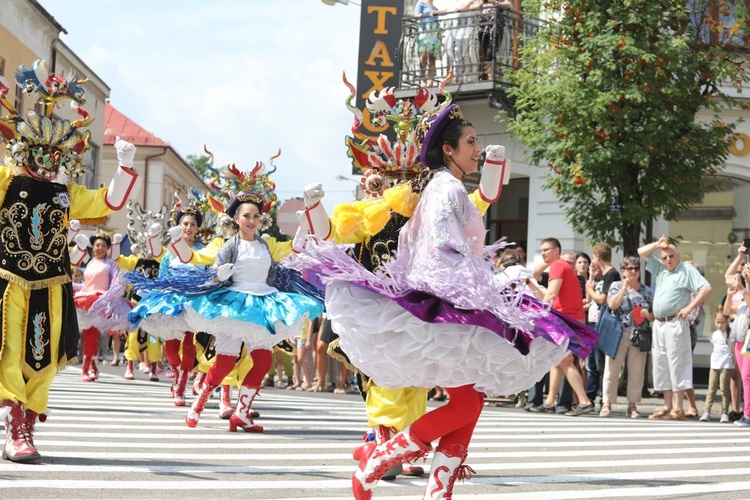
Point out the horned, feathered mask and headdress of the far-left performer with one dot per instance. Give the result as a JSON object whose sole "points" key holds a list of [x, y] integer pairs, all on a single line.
{"points": [[42, 146]]}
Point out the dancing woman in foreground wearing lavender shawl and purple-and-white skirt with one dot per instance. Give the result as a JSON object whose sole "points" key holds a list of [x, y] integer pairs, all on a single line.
{"points": [[436, 315]]}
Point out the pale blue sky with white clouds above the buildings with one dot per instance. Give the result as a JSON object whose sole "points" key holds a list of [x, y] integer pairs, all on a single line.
{"points": [[245, 78]]}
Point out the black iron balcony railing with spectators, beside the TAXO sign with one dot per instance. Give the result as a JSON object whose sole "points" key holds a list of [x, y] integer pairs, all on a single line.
{"points": [[480, 45]]}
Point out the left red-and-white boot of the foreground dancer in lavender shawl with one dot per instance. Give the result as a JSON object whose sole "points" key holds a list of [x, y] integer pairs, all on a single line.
{"points": [[377, 460]]}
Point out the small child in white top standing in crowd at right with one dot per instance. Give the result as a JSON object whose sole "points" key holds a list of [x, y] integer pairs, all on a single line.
{"points": [[722, 367]]}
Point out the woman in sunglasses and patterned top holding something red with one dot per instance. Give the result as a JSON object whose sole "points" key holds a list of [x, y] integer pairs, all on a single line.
{"points": [[633, 301]]}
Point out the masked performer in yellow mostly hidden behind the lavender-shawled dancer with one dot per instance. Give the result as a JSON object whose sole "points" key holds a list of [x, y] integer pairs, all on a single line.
{"points": [[392, 189]]}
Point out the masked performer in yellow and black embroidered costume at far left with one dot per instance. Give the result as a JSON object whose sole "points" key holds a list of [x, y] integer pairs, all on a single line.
{"points": [[37, 199]]}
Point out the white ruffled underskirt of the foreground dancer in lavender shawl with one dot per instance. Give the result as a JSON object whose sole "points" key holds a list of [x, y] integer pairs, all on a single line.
{"points": [[397, 349]]}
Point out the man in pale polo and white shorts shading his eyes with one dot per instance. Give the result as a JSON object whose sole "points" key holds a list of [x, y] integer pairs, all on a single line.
{"points": [[671, 351]]}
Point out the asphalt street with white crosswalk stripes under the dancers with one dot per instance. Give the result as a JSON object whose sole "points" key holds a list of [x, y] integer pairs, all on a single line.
{"points": [[120, 439]]}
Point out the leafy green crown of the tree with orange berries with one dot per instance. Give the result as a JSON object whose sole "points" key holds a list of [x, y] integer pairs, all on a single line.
{"points": [[621, 100]]}
